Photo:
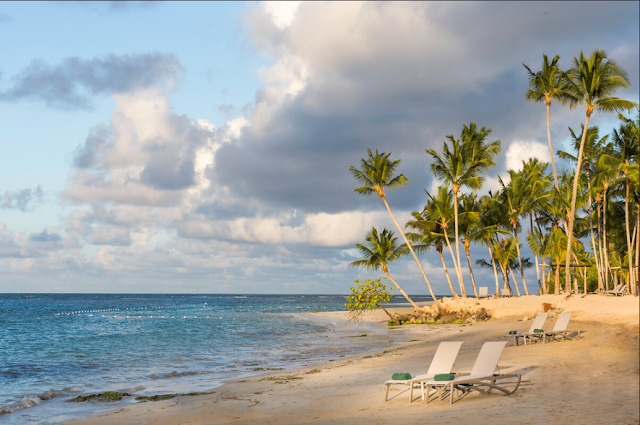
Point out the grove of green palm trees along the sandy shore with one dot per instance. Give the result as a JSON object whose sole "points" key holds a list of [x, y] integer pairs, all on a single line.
{"points": [[581, 222]]}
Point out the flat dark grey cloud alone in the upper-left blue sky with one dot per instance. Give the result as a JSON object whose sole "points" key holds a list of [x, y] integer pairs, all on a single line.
{"points": [[71, 83]]}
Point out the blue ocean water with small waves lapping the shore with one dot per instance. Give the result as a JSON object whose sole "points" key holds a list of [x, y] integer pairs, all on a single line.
{"points": [[54, 347]]}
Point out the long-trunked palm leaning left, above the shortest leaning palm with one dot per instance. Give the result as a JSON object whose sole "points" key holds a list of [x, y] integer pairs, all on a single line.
{"points": [[376, 176]]}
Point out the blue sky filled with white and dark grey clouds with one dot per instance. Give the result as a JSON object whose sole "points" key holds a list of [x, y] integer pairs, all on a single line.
{"points": [[192, 147]]}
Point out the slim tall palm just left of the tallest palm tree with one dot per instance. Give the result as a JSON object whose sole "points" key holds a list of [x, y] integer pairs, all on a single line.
{"points": [[546, 86]]}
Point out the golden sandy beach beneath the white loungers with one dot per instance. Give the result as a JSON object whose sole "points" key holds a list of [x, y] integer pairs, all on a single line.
{"points": [[591, 380]]}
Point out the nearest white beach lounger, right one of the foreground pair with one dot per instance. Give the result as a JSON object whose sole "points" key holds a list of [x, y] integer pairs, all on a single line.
{"points": [[482, 377]]}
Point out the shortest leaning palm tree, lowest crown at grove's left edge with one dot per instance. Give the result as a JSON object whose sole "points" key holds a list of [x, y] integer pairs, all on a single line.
{"points": [[383, 249]]}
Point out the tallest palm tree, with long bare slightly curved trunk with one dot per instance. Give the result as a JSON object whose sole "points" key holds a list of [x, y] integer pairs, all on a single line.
{"points": [[592, 81]]}
